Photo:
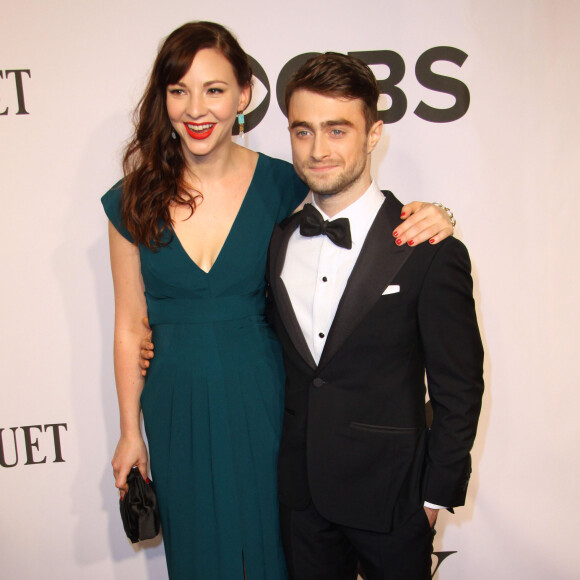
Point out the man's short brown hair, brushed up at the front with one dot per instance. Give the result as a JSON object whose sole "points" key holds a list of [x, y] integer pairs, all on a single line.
{"points": [[337, 75]]}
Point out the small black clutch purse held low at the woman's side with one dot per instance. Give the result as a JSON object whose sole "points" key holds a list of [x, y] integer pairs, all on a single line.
{"points": [[139, 510]]}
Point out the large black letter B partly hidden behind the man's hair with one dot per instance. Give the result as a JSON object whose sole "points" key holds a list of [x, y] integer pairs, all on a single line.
{"points": [[388, 86]]}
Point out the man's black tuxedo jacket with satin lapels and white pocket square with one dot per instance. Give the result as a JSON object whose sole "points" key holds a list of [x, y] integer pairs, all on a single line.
{"points": [[355, 440]]}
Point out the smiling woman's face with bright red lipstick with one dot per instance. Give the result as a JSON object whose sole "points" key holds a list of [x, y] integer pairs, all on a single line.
{"points": [[203, 105]]}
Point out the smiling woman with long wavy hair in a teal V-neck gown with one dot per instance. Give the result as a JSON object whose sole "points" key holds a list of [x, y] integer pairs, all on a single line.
{"points": [[189, 232]]}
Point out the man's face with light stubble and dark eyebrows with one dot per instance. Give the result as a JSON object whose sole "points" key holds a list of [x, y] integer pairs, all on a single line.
{"points": [[330, 144]]}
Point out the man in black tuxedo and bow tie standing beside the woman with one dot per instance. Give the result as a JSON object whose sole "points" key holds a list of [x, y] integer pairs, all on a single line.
{"points": [[361, 320]]}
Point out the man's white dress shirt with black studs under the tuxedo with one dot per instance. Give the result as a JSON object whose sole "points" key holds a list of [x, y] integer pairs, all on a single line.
{"points": [[316, 271]]}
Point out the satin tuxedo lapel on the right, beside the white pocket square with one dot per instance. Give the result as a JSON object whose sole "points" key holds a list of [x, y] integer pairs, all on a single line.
{"points": [[378, 263]]}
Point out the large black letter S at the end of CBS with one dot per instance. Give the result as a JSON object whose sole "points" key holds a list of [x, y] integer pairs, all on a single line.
{"points": [[442, 84]]}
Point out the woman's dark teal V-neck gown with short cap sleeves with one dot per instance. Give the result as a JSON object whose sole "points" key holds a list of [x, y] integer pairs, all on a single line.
{"points": [[213, 397]]}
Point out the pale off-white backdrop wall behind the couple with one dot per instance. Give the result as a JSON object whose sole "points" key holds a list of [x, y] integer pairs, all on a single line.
{"points": [[509, 169]]}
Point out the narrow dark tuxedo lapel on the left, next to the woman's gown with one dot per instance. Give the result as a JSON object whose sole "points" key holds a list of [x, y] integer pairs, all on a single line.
{"points": [[278, 248]]}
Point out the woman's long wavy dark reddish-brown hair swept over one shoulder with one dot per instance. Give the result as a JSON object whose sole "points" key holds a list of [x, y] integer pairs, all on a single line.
{"points": [[154, 164]]}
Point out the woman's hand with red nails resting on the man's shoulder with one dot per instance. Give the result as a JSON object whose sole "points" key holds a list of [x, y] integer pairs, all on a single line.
{"points": [[423, 221]]}
